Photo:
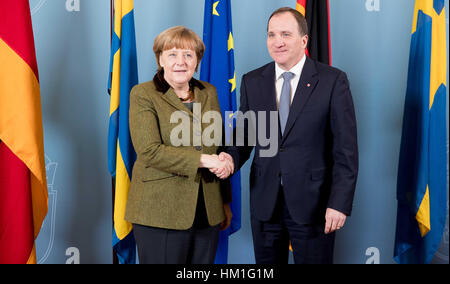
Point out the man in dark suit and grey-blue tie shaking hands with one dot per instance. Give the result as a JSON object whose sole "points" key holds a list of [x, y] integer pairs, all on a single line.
{"points": [[304, 192]]}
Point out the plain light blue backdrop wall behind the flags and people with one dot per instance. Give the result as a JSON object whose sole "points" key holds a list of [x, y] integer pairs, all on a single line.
{"points": [[370, 41]]}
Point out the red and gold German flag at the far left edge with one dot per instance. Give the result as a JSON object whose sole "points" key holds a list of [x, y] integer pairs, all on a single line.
{"points": [[23, 185]]}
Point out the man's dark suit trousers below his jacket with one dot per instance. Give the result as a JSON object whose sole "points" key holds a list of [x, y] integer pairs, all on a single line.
{"points": [[271, 239]]}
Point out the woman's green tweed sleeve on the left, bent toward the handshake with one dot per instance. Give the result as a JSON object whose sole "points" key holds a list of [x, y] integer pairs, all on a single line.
{"points": [[146, 138]]}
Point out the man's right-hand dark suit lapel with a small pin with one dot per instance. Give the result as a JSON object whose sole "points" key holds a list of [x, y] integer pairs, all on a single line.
{"points": [[307, 83]]}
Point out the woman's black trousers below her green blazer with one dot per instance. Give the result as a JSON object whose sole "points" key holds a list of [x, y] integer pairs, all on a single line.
{"points": [[197, 245]]}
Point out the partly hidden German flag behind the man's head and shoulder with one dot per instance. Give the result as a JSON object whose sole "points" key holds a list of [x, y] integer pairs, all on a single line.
{"points": [[317, 14]]}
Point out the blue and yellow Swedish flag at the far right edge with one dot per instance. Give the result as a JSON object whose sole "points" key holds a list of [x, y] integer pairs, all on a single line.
{"points": [[422, 174]]}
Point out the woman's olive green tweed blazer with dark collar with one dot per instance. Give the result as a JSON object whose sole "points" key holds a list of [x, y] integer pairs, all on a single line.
{"points": [[166, 178]]}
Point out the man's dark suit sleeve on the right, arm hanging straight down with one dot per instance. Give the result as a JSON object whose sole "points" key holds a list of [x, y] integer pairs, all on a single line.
{"points": [[345, 147]]}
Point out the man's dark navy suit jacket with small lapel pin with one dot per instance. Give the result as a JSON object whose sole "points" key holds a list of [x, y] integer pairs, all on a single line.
{"points": [[318, 154]]}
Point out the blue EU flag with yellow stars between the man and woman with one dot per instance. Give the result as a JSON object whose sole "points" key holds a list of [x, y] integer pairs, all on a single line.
{"points": [[218, 69]]}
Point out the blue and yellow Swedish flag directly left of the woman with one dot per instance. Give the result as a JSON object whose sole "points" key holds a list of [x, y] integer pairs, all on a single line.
{"points": [[121, 154]]}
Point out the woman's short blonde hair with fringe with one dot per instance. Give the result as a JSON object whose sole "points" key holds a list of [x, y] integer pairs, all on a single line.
{"points": [[178, 37]]}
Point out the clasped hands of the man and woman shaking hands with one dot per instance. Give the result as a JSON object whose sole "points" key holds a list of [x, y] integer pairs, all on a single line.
{"points": [[221, 165]]}
